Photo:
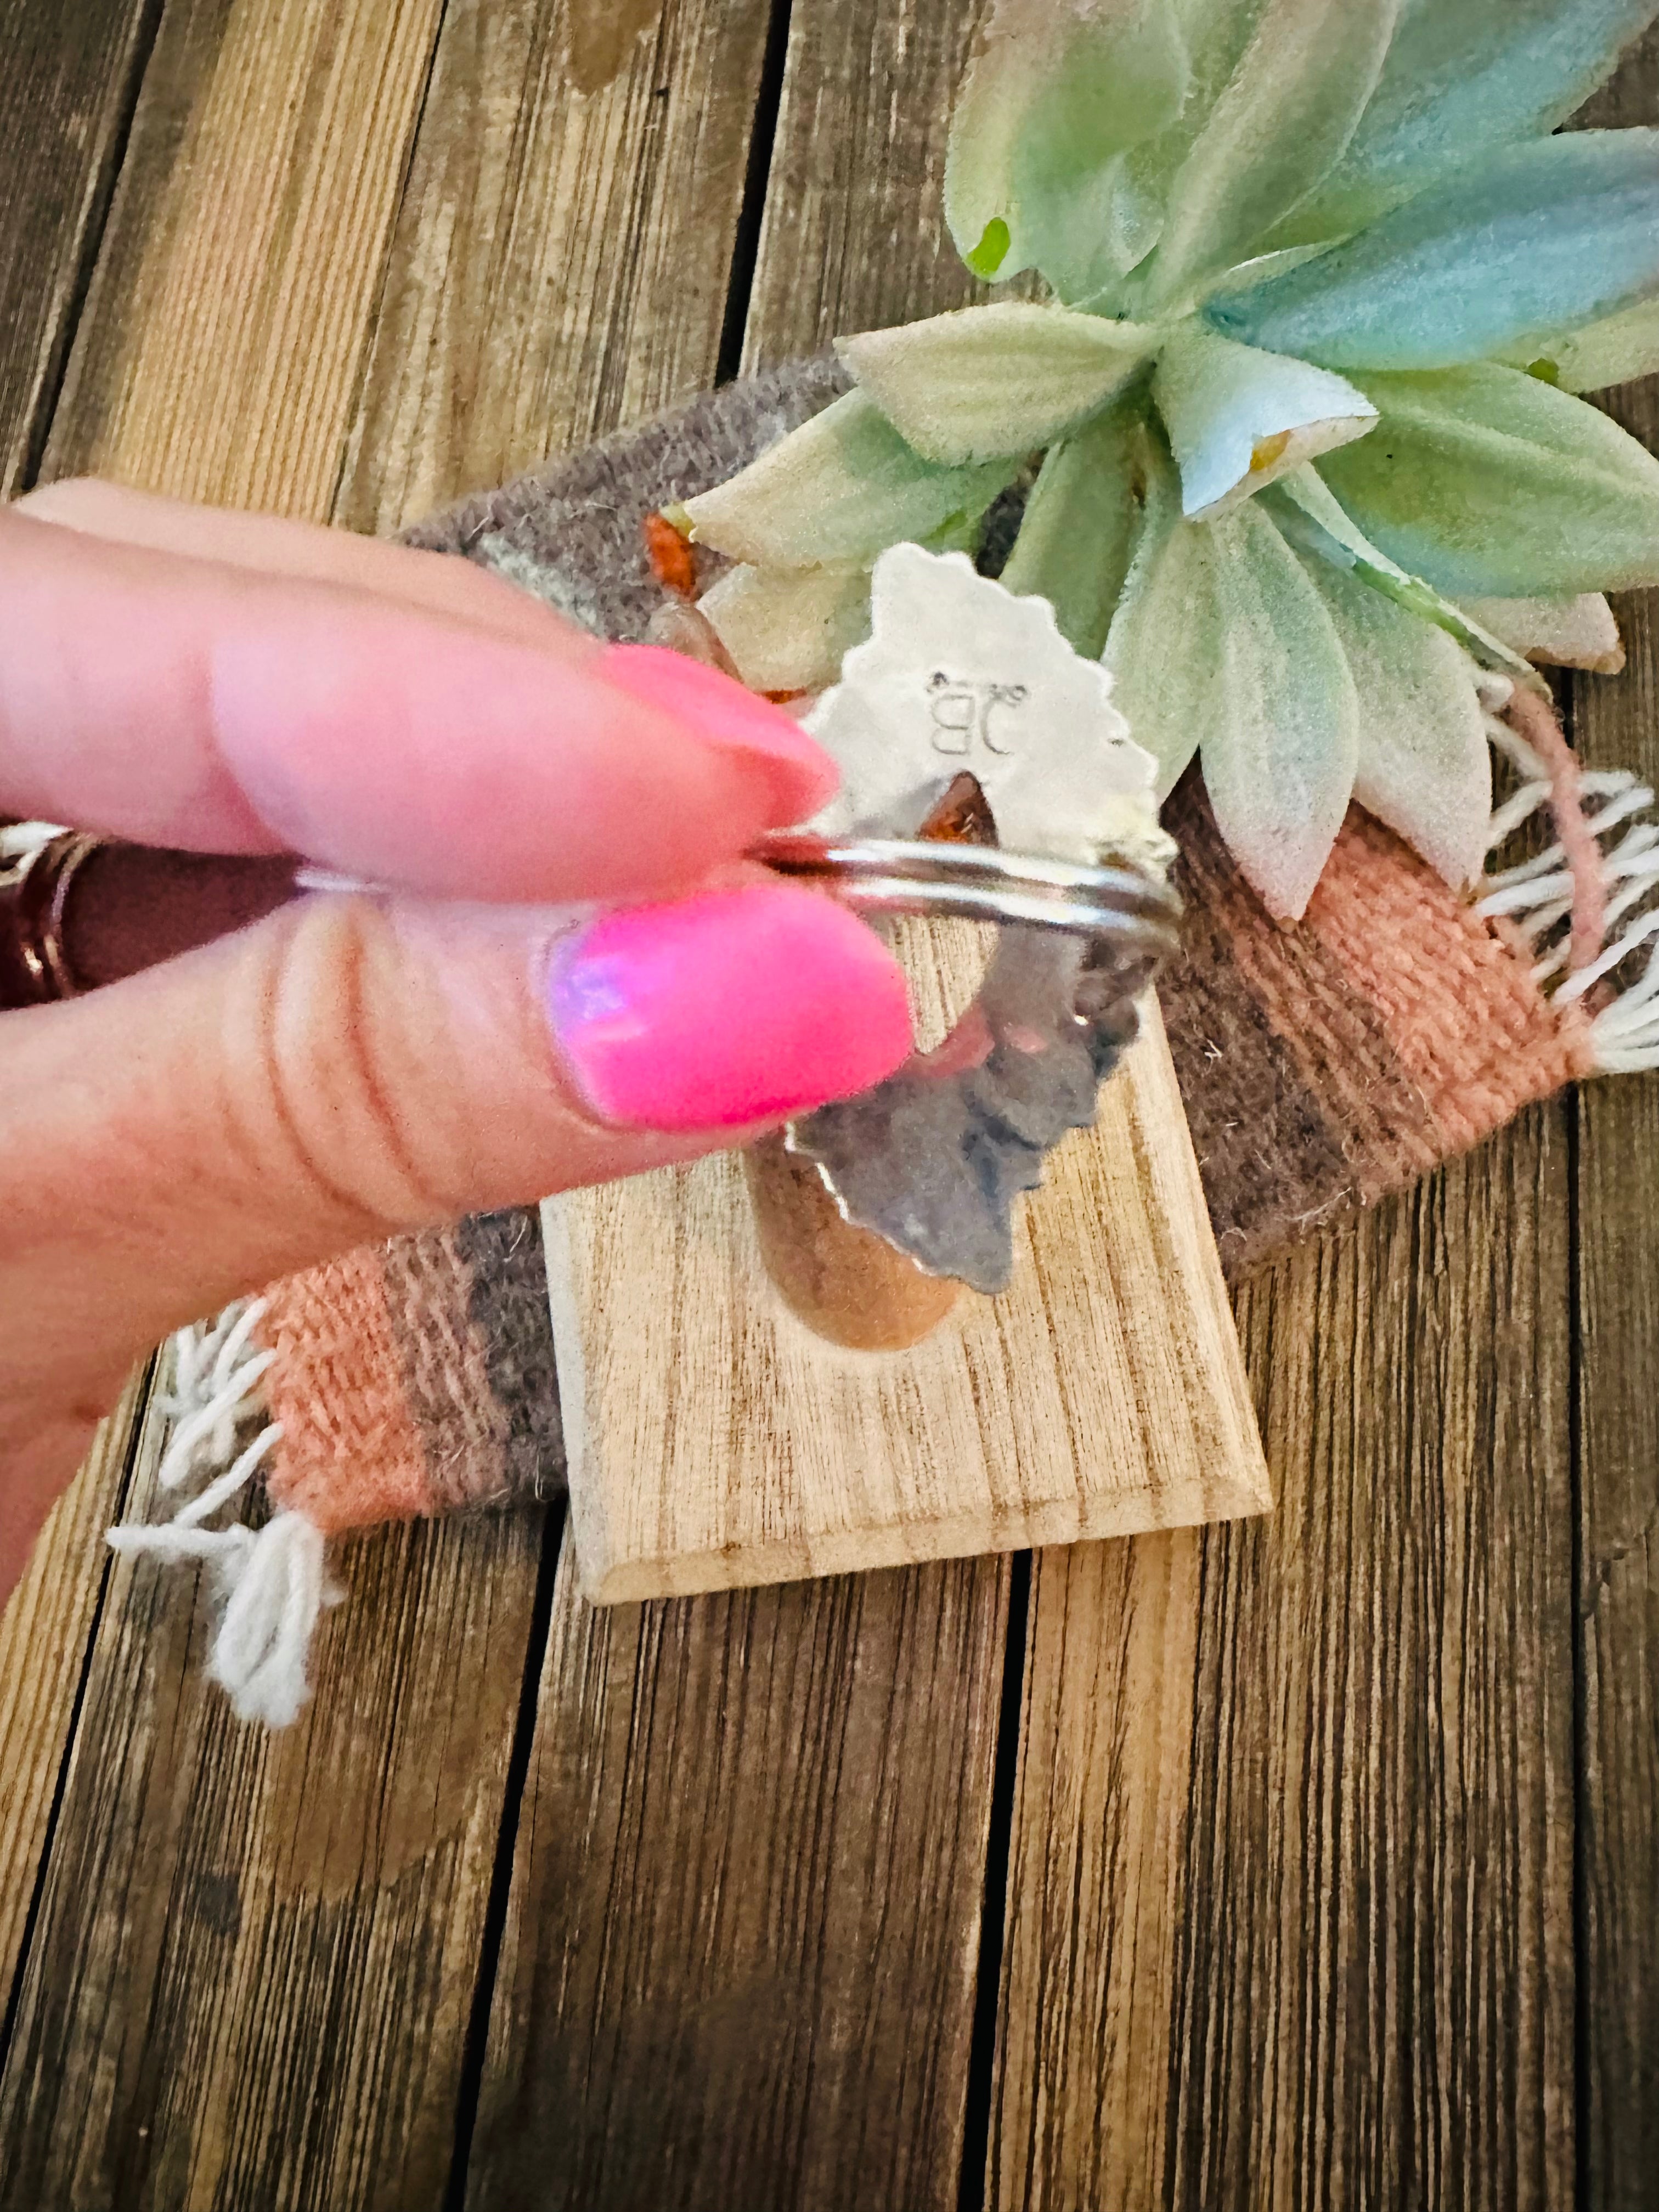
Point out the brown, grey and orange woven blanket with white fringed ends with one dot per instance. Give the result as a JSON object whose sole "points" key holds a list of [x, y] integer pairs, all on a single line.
{"points": [[1324, 1065]]}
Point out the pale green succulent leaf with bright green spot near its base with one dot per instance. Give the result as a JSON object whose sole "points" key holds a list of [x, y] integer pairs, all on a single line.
{"points": [[1050, 103]]}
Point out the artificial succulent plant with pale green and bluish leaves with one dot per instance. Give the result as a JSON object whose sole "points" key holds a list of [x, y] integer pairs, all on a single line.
{"points": [[1322, 289]]}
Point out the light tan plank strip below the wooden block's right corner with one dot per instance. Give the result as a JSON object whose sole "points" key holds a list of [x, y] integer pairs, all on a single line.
{"points": [[1081, 2098]]}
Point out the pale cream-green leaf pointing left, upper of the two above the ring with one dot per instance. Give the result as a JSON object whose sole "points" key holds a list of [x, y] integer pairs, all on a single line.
{"points": [[990, 382]]}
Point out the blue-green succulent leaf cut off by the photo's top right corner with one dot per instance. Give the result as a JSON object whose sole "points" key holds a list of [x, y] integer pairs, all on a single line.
{"points": [[1463, 79]]}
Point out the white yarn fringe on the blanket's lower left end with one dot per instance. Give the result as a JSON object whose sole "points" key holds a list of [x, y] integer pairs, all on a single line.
{"points": [[271, 1583]]}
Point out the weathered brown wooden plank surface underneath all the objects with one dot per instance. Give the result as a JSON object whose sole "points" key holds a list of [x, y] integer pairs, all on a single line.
{"points": [[1295, 1864]]}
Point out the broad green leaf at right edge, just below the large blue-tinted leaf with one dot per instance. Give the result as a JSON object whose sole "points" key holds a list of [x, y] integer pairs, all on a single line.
{"points": [[1494, 486]]}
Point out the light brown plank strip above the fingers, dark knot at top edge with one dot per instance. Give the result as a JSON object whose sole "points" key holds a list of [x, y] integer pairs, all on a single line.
{"points": [[561, 262]]}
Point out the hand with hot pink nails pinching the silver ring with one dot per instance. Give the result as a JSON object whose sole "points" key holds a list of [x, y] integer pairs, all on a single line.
{"points": [[340, 1070]]}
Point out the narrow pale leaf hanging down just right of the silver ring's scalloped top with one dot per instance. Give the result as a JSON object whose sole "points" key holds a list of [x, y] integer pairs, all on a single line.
{"points": [[1167, 638]]}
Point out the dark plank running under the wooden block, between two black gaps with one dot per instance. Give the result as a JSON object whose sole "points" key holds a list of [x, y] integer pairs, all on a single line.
{"points": [[831, 1784]]}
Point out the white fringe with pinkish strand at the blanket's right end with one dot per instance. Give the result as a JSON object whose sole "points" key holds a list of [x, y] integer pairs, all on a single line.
{"points": [[1547, 897]]}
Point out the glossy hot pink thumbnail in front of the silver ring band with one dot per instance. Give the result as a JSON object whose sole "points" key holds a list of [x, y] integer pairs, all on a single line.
{"points": [[727, 1010]]}
